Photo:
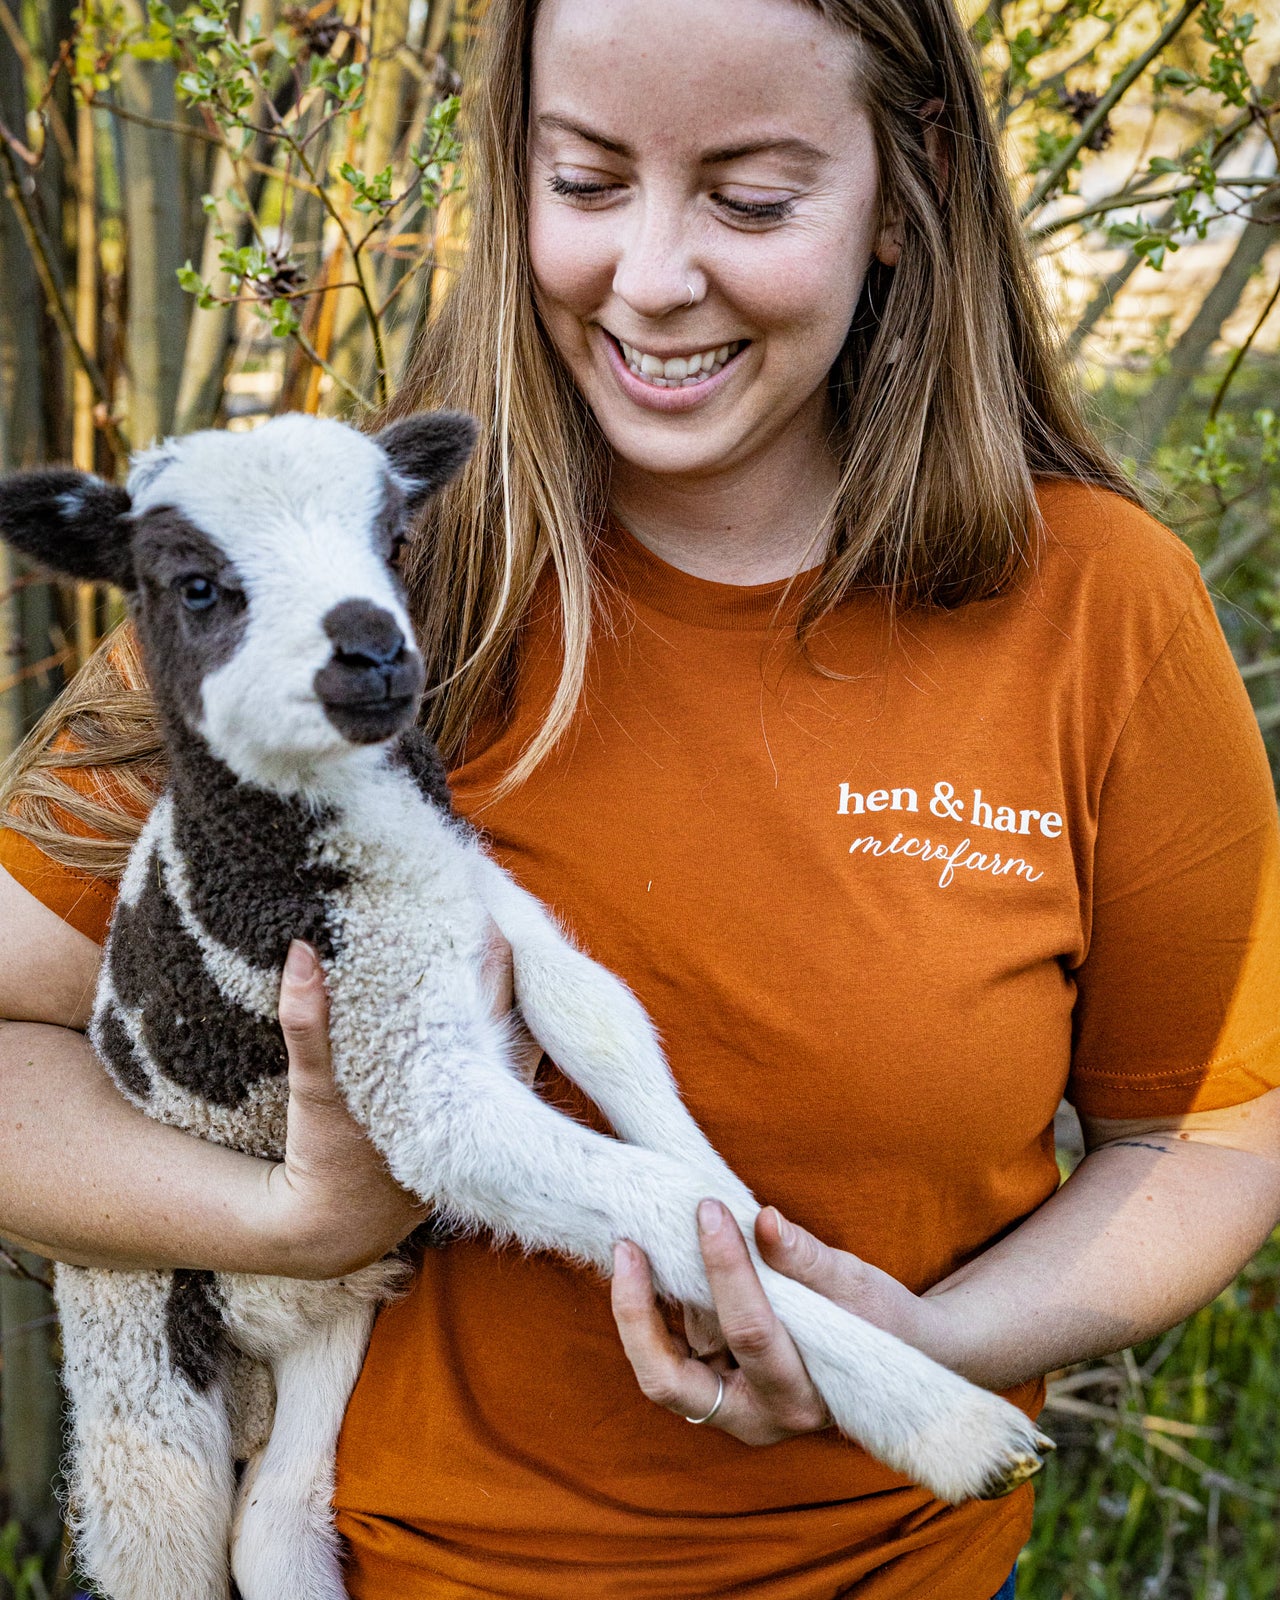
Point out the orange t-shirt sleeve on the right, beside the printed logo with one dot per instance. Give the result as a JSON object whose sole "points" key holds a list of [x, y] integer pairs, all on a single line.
{"points": [[1178, 999]]}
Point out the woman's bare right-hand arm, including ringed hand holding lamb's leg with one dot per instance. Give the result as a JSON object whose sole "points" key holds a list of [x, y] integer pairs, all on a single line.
{"points": [[1158, 1218]]}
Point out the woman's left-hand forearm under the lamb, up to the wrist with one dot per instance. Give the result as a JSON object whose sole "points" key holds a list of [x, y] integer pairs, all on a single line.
{"points": [[87, 1178]]}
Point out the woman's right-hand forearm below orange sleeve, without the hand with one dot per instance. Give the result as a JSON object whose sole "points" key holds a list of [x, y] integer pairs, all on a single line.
{"points": [[1145, 1233]]}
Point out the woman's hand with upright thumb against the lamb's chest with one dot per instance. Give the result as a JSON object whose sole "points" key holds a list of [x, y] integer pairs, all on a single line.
{"points": [[332, 1204]]}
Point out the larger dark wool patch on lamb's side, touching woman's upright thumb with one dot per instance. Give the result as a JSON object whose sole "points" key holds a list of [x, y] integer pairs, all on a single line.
{"points": [[193, 1033]]}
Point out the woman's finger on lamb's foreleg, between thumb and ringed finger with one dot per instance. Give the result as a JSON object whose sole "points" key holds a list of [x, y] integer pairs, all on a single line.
{"points": [[762, 1348]]}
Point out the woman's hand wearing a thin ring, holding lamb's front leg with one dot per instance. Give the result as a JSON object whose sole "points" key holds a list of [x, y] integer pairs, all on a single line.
{"points": [[769, 1394]]}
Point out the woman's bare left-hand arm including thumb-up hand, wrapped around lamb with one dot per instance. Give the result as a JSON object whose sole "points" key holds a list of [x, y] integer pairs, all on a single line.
{"points": [[87, 1178]]}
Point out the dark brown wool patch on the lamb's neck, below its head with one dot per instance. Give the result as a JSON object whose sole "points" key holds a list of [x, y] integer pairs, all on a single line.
{"points": [[249, 858]]}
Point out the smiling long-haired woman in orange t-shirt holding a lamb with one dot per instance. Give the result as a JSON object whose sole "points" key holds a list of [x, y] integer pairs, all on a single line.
{"points": [[802, 649]]}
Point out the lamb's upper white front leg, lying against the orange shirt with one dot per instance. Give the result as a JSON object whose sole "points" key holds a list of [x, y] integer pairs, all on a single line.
{"points": [[598, 1033]]}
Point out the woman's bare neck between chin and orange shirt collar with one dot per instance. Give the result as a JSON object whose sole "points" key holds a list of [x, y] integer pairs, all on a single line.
{"points": [[751, 524]]}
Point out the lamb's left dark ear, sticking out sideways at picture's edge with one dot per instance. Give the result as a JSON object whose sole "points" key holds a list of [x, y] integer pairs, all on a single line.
{"points": [[70, 522]]}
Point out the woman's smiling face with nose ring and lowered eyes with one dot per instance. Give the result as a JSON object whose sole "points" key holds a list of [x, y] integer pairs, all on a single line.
{"points": [[703, 209]]}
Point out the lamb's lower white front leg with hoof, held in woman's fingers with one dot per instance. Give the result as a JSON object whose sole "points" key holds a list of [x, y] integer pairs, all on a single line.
{"points": [[486, 1150]]}
